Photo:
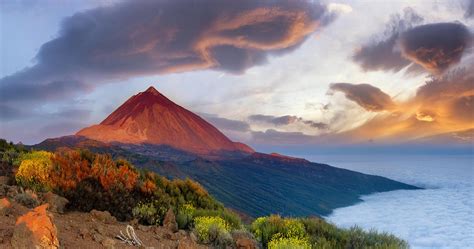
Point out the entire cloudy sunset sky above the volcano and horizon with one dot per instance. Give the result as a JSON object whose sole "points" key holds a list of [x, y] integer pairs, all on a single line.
{"points": [[267, 73]]}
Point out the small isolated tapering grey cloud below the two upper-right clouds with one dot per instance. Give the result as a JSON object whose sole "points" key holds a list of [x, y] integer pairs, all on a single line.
{"points": [[367, 96]]}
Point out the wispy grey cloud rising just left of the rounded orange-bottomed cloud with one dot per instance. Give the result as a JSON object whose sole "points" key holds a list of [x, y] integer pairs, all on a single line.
{"points": [[382, 53]]}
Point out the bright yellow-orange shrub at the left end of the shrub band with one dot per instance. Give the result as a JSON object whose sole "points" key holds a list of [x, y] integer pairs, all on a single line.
{"points": [[34, 171]]}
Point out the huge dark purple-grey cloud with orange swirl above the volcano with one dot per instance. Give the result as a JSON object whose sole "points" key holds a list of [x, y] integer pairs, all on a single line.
{"points": [[136, 38]]}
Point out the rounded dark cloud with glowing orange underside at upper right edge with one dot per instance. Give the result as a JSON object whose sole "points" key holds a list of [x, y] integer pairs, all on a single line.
{"points": [[436, 46]]}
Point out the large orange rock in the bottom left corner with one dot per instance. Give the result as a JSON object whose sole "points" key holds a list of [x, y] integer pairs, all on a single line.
{"points": [[35, 229]]}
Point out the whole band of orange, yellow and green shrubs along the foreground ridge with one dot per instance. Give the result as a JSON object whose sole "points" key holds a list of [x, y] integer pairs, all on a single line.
{"points": [[96, 181]]}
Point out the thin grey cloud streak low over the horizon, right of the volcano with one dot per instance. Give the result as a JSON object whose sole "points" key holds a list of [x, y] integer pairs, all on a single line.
{"points": [[285, 120]]}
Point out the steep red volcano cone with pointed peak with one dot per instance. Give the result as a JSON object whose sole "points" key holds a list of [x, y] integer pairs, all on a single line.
{"points": [[150, 118]]}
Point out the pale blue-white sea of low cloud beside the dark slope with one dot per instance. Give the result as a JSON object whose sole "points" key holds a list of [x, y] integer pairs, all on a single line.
{"points": [[439, 216]]}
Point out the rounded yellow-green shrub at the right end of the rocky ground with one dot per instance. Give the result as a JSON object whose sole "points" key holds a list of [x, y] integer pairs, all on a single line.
{"points": [[208, 228]]}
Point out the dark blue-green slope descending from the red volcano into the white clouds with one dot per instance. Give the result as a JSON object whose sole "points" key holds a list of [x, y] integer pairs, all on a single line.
{"points": [[256, 184]]}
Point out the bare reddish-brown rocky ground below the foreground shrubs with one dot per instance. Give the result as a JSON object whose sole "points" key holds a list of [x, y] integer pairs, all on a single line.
{"points": [[28, 221]]}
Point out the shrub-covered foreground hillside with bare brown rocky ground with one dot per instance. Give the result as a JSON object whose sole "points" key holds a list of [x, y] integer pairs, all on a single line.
{"points": [[147, 210]]}
